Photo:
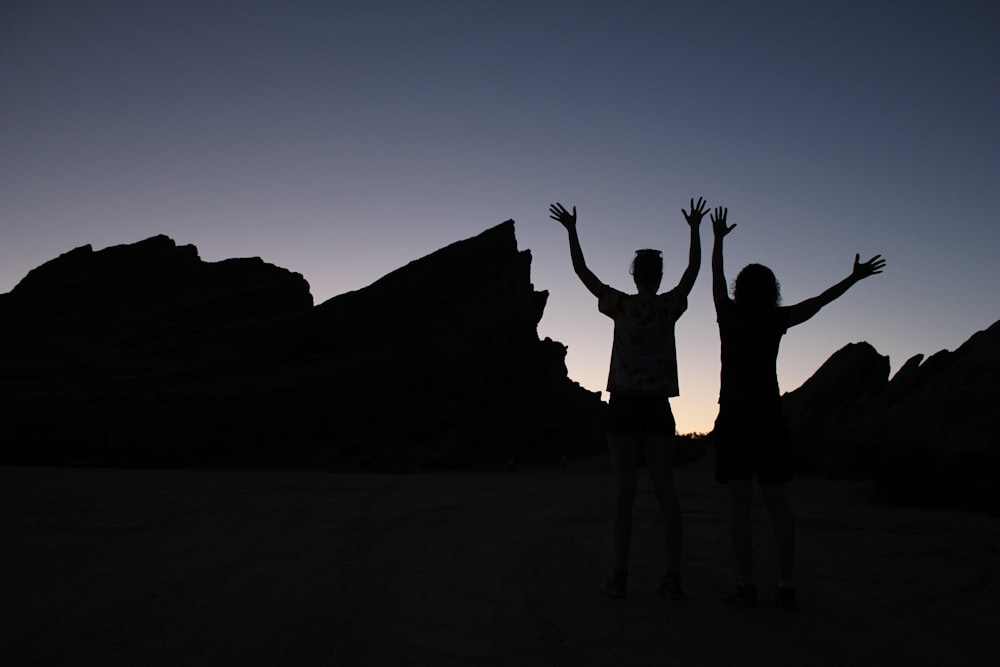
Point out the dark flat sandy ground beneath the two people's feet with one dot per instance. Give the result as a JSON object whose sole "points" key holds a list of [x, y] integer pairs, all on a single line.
{"points": [[120, 567]]}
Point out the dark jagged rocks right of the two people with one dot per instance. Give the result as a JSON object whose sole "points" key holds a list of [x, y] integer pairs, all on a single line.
{"points": [[929, 435]]}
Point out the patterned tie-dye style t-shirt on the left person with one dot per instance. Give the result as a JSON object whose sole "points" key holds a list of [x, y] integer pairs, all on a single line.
{"points": [[643, 355]]}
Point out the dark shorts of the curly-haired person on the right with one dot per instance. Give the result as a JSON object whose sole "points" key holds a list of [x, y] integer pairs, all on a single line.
{"points": [[752, 442]]}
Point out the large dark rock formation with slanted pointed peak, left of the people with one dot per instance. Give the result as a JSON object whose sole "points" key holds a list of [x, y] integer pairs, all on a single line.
{"points": [[143, 354]]}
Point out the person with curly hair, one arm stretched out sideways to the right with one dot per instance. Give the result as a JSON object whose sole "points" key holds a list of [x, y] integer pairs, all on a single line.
{"points": [[751, 438]]}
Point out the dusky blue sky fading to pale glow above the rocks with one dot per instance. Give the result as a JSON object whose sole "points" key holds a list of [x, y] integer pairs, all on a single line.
{"points": [[343, 139]]}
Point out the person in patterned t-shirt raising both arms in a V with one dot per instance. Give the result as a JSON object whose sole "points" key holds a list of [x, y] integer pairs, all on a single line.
{"points": [[642, 378]]}
